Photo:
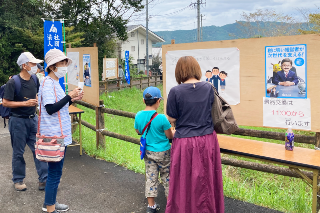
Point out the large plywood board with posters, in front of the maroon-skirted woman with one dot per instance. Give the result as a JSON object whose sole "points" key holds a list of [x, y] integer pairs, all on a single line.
{"points": [[252, 73]]}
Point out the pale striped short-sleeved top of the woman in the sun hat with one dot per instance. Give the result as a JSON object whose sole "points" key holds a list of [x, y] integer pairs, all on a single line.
{"points": [[49, 125]]}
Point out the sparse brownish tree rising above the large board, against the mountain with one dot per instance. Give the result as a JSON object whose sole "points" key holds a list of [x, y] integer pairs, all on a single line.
{"points": [[267, 23]]}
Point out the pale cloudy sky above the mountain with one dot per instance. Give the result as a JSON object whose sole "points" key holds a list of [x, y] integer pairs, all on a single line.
{"points": [[168, 15]]}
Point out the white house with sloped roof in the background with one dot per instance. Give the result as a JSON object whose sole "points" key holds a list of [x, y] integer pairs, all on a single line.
{"points": [[136, 45]]}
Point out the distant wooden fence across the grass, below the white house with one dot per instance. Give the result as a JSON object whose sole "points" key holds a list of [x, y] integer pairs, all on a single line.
{"points": [[114, 84]]}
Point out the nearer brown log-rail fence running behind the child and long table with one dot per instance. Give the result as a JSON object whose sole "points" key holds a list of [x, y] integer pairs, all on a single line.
{"points": [[99, 128]]}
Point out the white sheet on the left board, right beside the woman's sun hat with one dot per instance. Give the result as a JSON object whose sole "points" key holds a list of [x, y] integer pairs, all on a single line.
{"points": [[73, 68]]}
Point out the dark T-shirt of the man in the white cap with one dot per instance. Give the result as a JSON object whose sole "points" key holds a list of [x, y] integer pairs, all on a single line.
{"points": [[28, 91]]}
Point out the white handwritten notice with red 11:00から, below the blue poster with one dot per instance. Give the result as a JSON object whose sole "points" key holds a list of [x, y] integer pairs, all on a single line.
{"points": [[285, 112]]}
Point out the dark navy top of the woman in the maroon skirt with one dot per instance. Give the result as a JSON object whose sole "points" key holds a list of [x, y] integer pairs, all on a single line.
{"points": [[191, 105]]}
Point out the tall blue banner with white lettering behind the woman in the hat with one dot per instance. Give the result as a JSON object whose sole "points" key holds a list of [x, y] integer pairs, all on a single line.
{"points": [[53, 40]]}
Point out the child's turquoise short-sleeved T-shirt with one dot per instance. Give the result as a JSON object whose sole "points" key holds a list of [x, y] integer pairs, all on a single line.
{"points": [[156, 138]]}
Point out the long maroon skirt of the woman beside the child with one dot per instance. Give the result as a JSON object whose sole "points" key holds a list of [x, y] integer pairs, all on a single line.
{"points": [[195, 184]]}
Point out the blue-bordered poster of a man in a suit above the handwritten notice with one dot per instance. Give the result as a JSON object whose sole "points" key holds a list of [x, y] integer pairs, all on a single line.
{"points": [[286, 71]]}
